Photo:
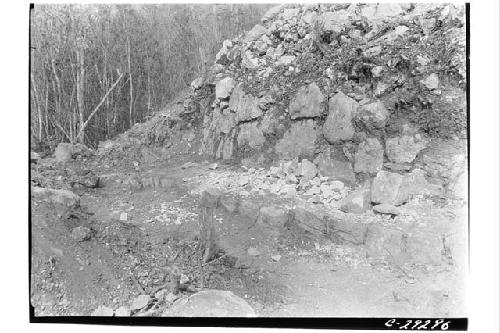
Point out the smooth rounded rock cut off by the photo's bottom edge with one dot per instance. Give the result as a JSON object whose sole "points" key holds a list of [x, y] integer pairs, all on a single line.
{"points": [[211, 303]]}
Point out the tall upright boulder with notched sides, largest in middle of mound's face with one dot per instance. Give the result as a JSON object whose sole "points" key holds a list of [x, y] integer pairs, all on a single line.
{"points": [[338, 125]]}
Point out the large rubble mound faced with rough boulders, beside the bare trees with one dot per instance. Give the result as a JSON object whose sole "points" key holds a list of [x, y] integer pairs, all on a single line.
{"points": [[314, 76]]}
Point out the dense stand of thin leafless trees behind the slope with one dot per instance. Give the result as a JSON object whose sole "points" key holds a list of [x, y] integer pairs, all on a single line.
{"points": [[97, 70]]}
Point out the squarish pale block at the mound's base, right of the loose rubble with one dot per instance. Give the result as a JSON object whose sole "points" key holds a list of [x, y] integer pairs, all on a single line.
{"points": [[385, 188]]}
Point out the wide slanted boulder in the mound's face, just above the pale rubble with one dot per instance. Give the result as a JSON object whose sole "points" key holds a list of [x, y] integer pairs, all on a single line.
{"points": [[299, 140]]}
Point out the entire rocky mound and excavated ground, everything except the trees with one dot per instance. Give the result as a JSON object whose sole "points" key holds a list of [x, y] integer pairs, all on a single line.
{"points": [[339, 186]]}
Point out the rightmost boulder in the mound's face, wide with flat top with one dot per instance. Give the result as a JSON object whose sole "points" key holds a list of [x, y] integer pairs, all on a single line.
{"points": [[403, 149]]}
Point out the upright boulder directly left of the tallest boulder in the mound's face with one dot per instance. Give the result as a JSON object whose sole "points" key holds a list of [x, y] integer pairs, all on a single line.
{"points": [[307, 102]]}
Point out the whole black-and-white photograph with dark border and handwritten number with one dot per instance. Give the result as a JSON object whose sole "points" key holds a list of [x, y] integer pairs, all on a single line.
{"points": [[250, 160]]}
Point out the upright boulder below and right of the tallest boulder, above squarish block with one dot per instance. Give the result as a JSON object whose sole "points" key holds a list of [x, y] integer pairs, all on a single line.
{"points": [[369, 157]]}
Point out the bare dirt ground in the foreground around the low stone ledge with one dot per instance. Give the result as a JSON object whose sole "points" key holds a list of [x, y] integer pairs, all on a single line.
{"points": [[291, 273]]}
